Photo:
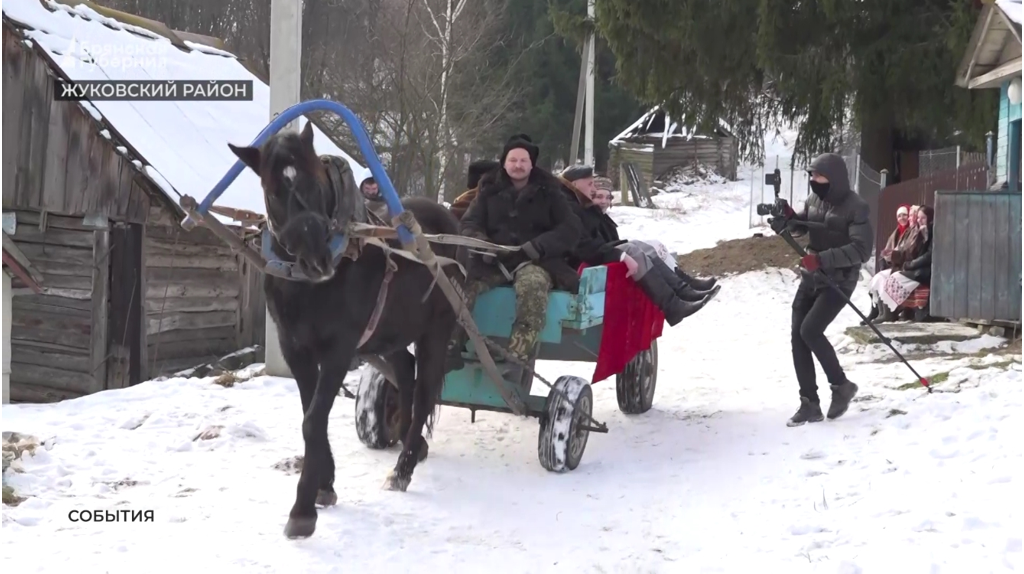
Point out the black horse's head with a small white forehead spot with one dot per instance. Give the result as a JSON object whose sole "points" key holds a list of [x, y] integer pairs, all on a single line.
{"points": [[301, 204]]}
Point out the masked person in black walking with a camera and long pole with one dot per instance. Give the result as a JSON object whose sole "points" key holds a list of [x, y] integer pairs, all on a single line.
{"points": [[836, 220]]}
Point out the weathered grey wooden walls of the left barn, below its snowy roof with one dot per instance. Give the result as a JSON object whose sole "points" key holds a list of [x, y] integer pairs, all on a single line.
{"points": [[127, 294]]}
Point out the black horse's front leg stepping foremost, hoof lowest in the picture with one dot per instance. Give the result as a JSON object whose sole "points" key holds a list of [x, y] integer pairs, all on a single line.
{"points": [[334, 368]]}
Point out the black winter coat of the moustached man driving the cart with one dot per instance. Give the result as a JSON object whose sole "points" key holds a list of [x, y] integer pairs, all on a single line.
{"points": [[537, 217]]}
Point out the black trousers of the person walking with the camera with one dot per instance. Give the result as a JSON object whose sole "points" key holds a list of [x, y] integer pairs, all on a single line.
{"points": [[814, 311]]}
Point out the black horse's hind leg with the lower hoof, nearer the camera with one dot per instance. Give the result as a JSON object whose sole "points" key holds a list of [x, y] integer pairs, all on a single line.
{"points": [[431, 354]]}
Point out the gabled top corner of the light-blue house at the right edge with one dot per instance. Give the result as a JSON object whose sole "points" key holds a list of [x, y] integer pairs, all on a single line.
{"points": [[993, 61]]}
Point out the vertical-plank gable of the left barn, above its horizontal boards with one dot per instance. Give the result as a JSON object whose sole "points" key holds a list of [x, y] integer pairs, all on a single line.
{"points": [[58, 159]]}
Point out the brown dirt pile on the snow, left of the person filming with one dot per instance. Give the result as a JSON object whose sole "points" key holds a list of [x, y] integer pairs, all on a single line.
{"points": [[741, 256]]}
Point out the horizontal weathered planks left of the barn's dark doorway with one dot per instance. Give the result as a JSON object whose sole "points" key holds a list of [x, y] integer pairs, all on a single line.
{"points": [[59, 340]]}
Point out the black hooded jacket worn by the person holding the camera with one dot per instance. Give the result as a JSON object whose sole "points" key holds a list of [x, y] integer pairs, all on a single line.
{"points": [[847, 240]]}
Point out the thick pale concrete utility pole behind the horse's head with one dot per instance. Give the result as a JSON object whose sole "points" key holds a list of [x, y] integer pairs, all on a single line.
{"points": [[286, 84]]}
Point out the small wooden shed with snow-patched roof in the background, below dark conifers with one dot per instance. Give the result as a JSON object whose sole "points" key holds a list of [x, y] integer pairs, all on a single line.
{"points": [[657, 143]]}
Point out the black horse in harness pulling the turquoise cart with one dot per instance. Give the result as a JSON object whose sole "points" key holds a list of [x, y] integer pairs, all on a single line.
{"points": [[322, 320]]}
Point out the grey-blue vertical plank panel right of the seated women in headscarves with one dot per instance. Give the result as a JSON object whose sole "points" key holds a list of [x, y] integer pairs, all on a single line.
{"points": [[976, 258]]}
